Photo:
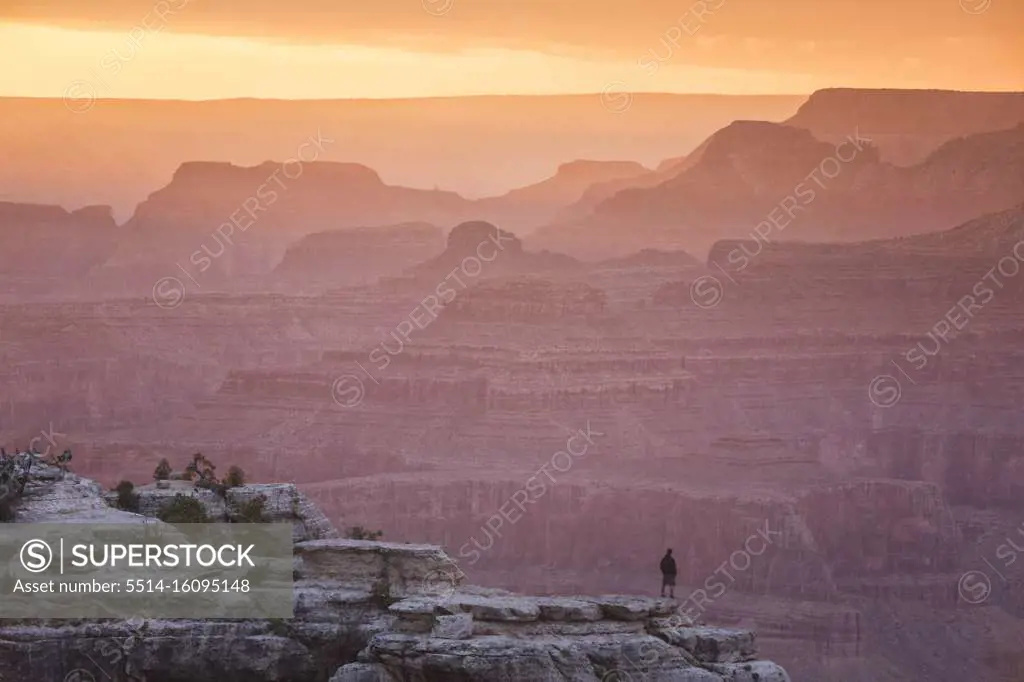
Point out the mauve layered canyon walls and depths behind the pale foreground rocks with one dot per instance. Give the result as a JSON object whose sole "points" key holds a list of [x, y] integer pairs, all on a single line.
{"points": [[708, 425]]}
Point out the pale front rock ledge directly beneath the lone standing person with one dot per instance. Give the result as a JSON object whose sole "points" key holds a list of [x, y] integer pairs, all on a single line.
{"points": [[508, 638]]}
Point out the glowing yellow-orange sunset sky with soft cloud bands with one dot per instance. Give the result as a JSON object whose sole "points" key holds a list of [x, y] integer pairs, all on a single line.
{"points": [[380, 49]]}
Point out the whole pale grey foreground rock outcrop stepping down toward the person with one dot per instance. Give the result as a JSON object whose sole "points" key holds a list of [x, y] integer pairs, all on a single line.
{"points": [[368, 611]]}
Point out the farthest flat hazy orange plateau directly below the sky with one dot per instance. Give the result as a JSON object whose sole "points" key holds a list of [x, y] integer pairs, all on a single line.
{"points": [[479, 147]]}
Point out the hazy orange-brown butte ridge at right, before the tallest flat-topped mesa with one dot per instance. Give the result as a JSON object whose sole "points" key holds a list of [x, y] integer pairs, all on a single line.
{"points": [[739, 180]]}
